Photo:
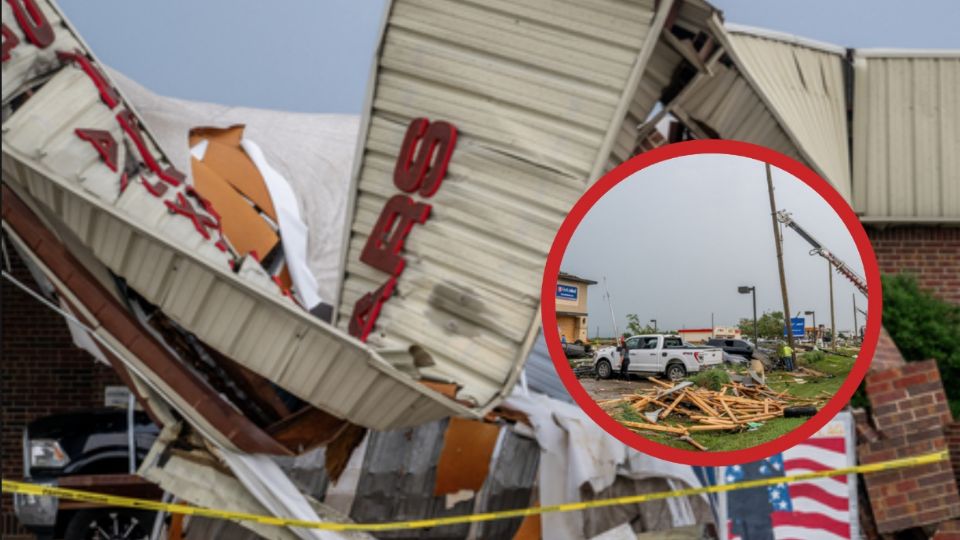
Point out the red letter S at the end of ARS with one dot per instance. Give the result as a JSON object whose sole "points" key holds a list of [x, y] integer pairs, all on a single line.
{"points": [[433, 143]]}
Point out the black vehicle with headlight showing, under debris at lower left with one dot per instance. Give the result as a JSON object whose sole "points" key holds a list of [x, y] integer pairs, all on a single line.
{"points": [[93, 444]]}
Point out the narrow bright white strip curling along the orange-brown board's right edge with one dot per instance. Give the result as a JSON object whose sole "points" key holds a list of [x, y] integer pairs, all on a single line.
{"points": [[293, 231]]}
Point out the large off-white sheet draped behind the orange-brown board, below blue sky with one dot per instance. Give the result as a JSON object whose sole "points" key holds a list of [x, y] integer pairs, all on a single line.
{"points": [[313, 152]]}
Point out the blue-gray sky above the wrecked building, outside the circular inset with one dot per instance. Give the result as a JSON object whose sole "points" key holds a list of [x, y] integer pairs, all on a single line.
{"points": [[314, 56]]}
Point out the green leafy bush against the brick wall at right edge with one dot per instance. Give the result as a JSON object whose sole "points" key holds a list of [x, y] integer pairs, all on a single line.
{"points": [[924, 327]]}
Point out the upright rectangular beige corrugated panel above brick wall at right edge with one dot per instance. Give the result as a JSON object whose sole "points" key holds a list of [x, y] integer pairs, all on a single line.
{"points": [[906, 131]]}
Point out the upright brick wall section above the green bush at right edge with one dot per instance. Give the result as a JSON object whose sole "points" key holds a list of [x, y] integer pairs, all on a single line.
{"points": [[930, 253]]}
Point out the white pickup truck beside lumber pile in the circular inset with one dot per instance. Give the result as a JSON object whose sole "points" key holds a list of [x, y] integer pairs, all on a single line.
{"points": [[658, 353]]}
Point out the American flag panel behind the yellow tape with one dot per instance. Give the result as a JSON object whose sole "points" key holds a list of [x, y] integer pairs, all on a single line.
{"points": [[822, 508]]}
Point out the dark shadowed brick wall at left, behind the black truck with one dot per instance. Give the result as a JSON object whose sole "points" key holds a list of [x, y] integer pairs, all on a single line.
{"points": [[42, 373]]}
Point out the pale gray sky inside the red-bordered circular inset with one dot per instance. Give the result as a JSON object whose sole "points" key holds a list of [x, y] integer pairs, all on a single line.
{"points": [[675, 241]]}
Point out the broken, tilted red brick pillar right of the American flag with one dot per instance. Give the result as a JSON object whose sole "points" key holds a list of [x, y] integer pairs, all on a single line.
{"points": [[910, 413]]}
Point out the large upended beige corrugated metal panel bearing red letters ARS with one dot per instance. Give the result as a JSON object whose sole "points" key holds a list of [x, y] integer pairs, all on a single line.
{"points": [[537, 92]]}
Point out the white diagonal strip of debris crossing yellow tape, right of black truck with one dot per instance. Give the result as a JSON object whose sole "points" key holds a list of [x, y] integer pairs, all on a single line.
{"points": [[267, 482]]}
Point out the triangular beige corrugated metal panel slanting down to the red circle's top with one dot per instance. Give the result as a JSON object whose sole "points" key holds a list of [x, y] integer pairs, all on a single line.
{"points": [[804, 88]]}
